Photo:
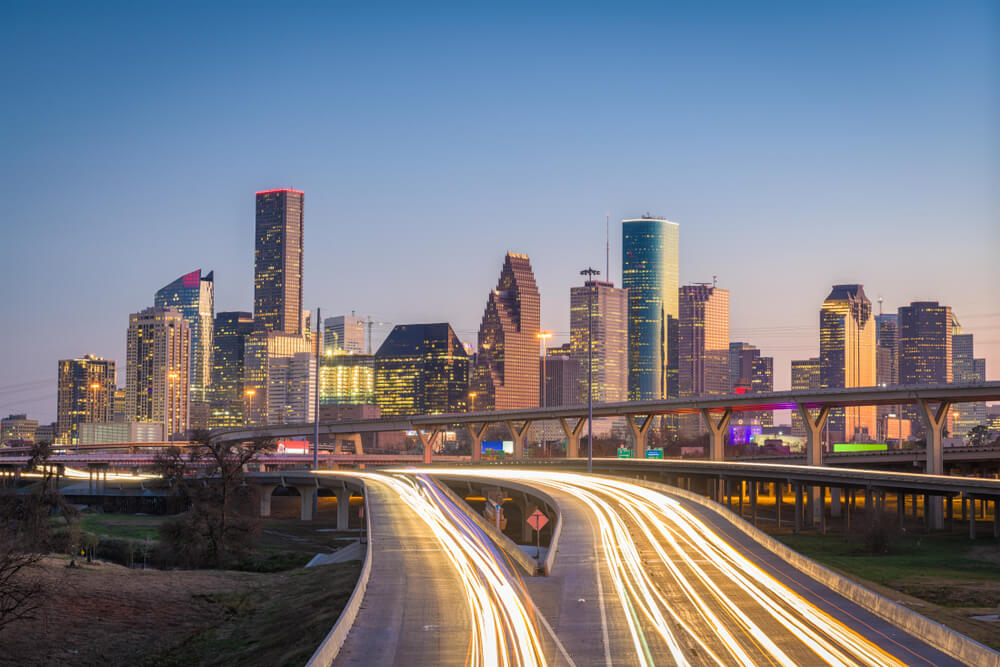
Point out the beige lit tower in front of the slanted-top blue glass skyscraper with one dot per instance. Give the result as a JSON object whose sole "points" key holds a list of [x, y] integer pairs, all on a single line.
{"points": [[157, 381]]}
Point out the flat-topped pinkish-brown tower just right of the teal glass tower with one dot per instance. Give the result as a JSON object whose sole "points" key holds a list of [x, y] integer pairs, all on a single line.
{"points": [[703, 346]]}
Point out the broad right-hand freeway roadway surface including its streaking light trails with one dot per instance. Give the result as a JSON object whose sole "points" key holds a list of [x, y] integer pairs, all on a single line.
{"points": [[694, 591]]}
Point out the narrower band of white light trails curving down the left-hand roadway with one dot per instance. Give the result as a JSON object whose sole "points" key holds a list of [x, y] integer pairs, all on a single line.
{"points": [[503, 631]]}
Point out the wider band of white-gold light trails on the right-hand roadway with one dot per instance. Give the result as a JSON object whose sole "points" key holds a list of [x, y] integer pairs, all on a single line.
{"points": [[684, 590]]}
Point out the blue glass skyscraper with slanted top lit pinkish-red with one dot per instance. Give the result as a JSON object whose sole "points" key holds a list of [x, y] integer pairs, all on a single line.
{"points": [[194, 296]]}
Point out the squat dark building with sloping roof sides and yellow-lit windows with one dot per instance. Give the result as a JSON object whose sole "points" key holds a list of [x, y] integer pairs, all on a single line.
{"points": [[422, 369]]}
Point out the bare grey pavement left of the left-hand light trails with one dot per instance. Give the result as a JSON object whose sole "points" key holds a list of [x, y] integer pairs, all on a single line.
{"points": [[414, 611]]}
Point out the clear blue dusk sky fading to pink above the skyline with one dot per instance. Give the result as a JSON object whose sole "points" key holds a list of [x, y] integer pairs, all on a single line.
{"points": [[798, 145]]}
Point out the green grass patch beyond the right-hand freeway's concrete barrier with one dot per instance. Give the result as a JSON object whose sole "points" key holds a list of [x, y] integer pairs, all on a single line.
{"points": [[947, 578]]}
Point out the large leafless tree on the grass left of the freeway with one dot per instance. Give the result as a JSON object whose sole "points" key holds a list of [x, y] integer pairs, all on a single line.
{"points": [[212, 531]]}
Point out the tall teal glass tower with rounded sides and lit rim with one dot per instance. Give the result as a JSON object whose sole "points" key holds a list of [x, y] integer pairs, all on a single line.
{"points": [[649, 273]]}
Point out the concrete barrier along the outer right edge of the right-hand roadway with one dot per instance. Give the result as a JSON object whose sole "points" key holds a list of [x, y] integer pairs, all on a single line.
{"points": [[944, 639]]}
